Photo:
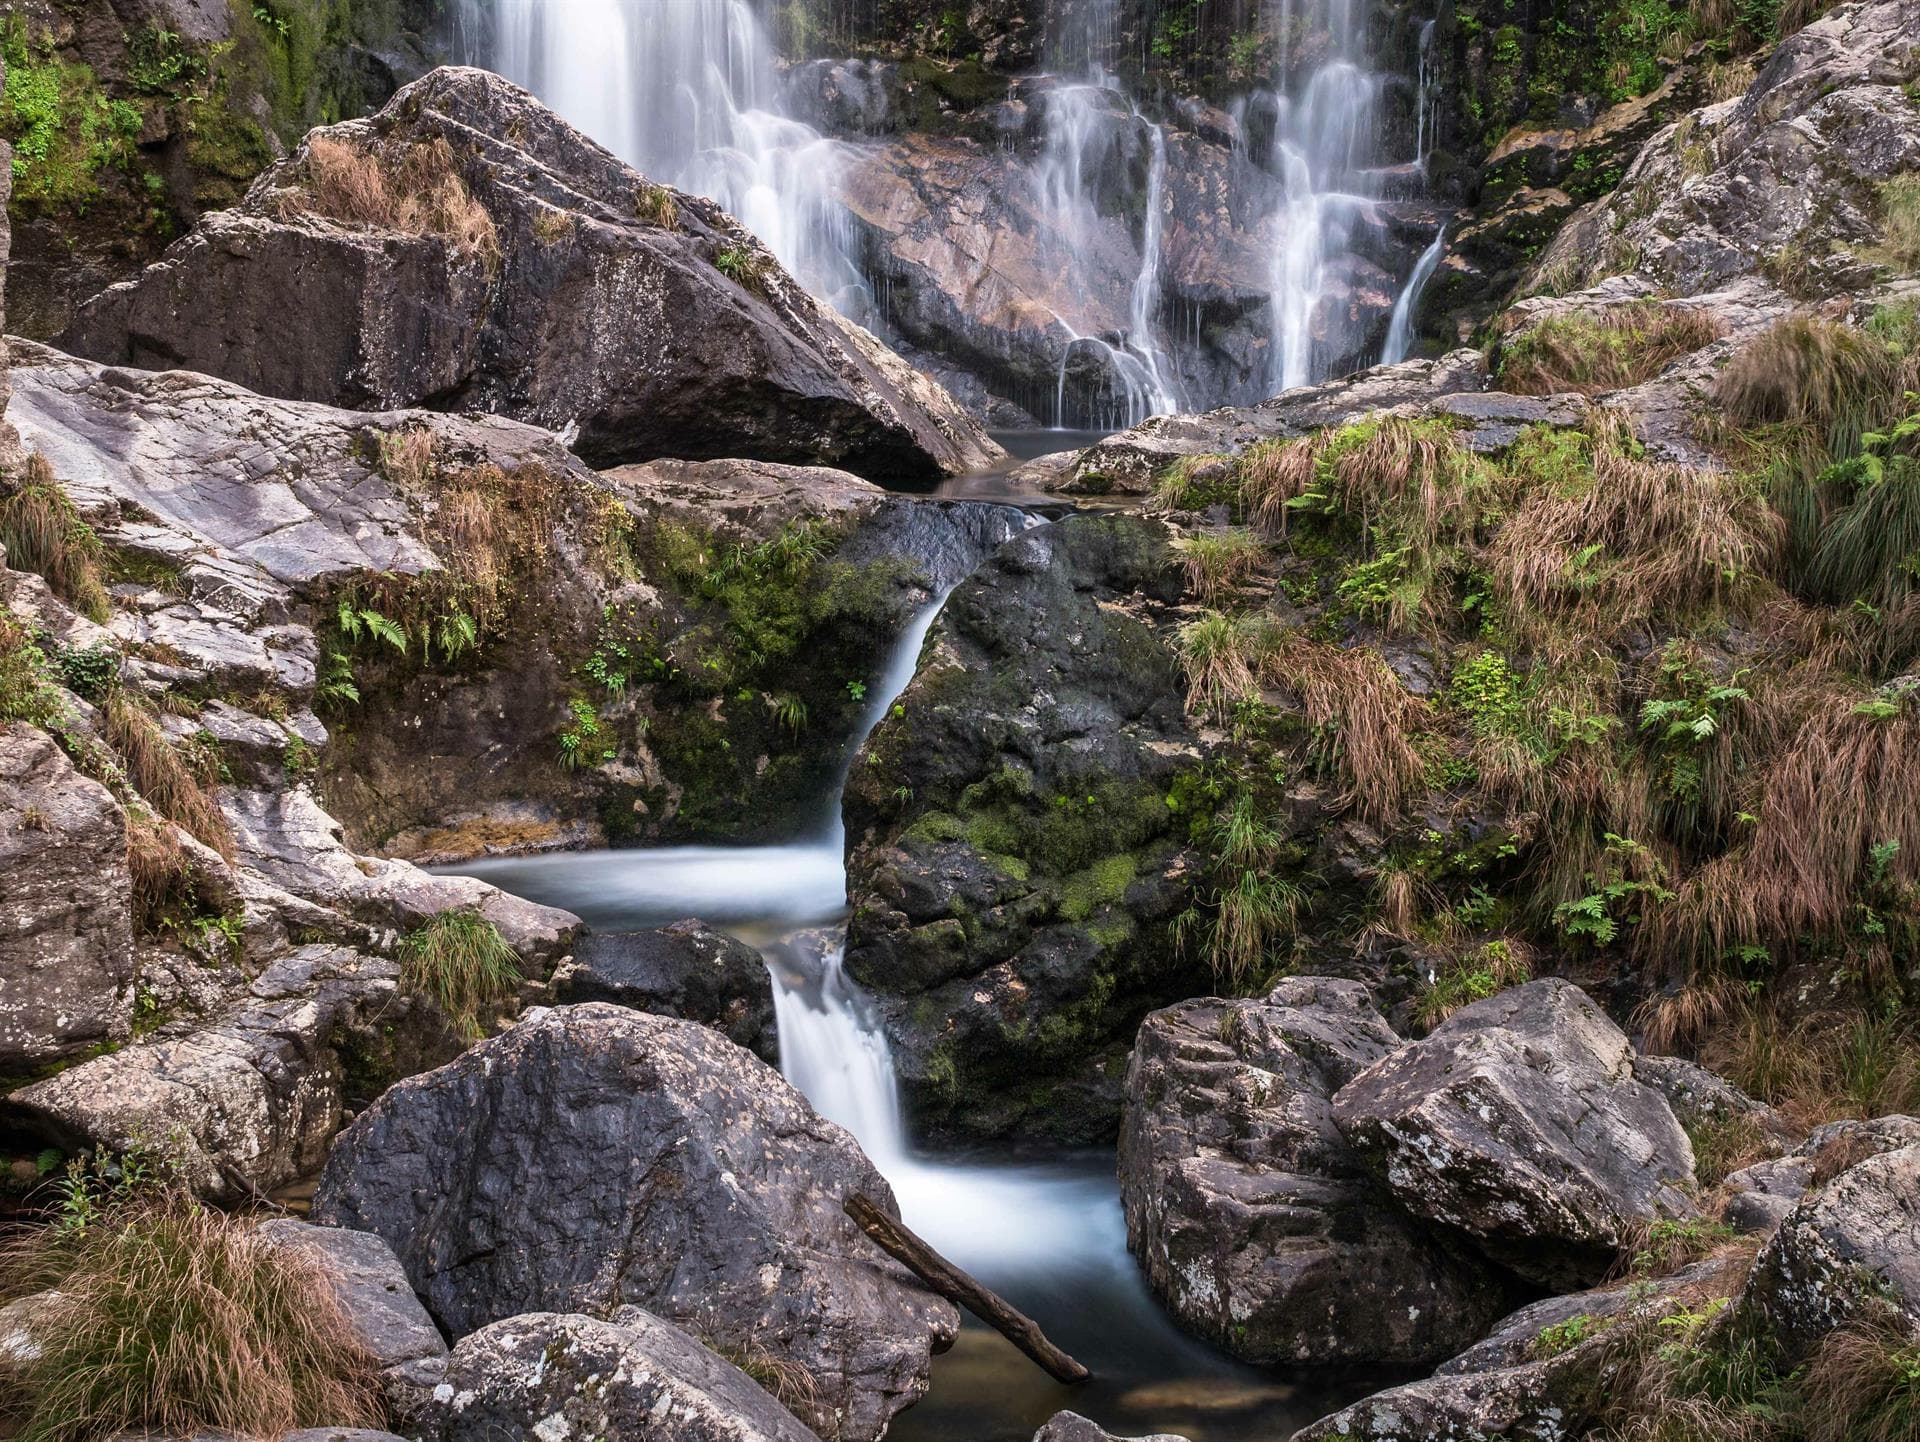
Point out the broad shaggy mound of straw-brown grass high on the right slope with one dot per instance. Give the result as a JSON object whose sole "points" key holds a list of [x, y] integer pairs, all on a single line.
{"points": [[1643, 541]]}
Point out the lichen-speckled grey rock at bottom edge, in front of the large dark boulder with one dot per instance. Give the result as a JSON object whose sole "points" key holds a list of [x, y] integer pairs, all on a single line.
{"points": [[558, 1376]]}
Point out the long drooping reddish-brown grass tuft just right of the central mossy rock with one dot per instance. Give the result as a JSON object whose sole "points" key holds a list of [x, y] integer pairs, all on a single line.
{"points": [[1364, 719]]}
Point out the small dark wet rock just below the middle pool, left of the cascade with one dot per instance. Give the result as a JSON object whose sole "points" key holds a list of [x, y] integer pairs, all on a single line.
{"points": [[684, 971]]}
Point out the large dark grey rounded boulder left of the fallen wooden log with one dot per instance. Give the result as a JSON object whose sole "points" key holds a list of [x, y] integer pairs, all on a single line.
{"points": [[596, 1157]]}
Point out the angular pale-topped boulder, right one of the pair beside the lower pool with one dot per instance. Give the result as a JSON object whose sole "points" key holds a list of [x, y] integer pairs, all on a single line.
{"points": [[1520, 1124]]}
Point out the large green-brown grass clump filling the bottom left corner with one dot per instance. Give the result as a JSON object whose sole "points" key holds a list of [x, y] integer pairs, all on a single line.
{"points": [[176, 1320]]}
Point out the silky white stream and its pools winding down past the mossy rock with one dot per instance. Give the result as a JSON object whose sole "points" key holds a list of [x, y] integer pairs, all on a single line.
{"points": [[1045, 1234]]}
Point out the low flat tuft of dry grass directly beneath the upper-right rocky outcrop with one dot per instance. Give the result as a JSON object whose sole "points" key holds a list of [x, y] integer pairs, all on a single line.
{"points": [[1604, 348]]}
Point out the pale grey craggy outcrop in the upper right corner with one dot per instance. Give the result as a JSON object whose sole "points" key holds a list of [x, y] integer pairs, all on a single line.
{"points": [[1781, 180]]}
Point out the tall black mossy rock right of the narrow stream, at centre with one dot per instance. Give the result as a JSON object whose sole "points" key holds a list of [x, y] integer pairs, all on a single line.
{"points": [[1013, 852]]}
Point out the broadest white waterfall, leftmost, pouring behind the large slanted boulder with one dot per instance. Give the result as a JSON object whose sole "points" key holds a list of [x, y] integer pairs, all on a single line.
{"points": [[690, 93]]}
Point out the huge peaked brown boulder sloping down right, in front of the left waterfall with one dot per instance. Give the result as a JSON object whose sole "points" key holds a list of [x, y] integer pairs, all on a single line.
{"points": [[468, 249]]}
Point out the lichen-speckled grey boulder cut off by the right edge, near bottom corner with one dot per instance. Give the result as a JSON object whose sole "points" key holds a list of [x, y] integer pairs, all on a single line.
{"points": [[1850, 1253]]}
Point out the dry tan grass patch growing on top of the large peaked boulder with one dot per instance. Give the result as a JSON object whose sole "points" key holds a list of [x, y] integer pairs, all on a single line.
{"points": [[418, 193]]}
